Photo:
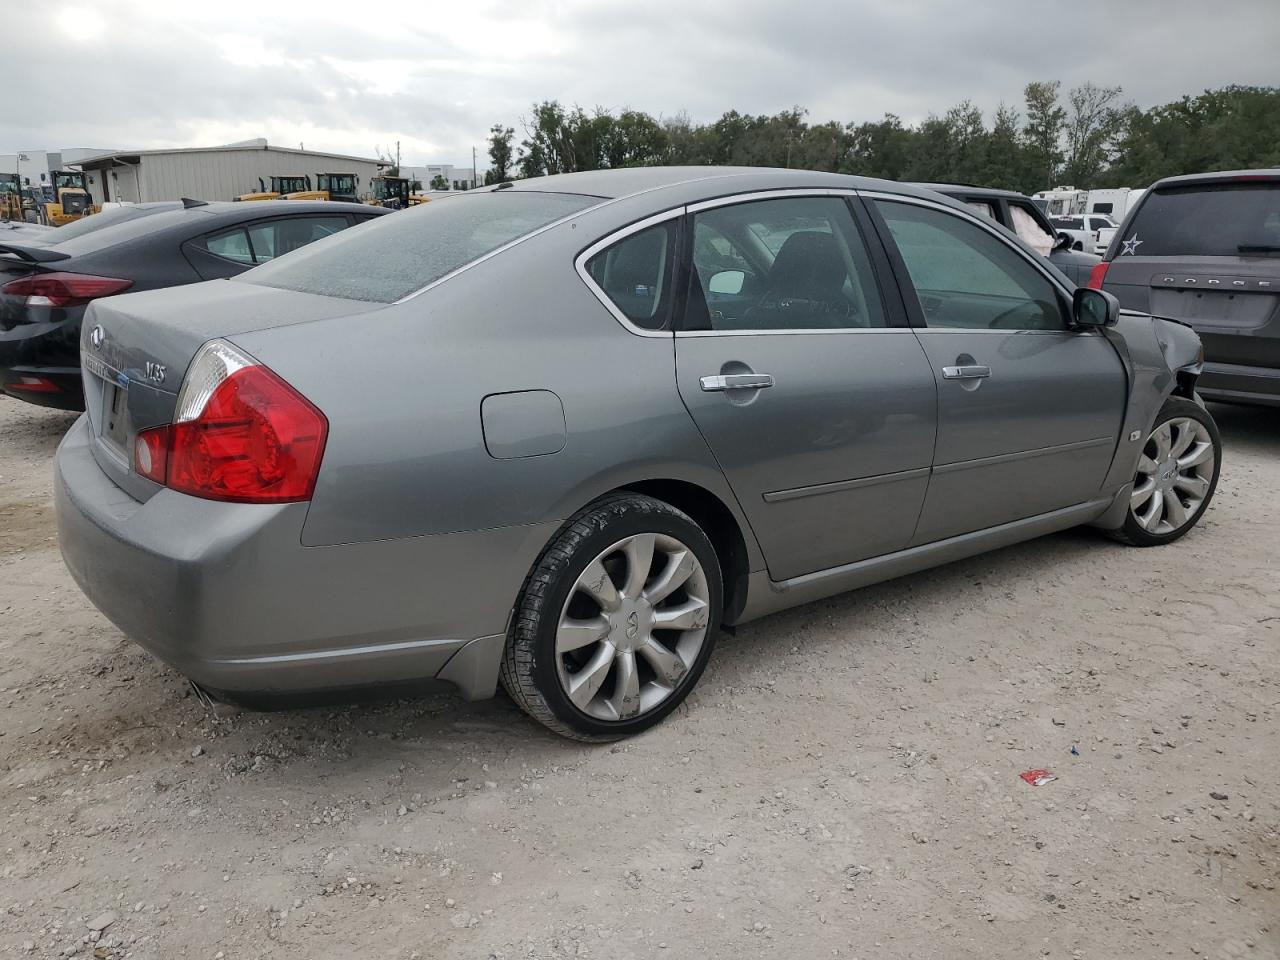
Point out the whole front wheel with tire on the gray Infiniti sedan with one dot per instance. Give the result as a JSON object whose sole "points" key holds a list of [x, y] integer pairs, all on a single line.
{"points": [[1177, 476]]}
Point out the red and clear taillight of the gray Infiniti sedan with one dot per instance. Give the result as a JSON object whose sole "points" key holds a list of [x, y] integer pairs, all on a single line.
{"points": [[241, 433]]}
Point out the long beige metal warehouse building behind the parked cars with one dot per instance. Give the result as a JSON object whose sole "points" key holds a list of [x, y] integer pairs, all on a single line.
{"points": [[212, 173]]}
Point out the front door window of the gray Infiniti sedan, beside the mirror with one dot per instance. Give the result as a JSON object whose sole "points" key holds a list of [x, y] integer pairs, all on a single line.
{"points": [[967, 278]]}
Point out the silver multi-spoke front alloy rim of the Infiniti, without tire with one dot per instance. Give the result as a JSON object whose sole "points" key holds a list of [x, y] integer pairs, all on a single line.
{"points": [[1174, 477]]}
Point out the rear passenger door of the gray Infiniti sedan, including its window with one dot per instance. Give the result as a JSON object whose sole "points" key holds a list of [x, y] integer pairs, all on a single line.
{"points": [[804, 378]]}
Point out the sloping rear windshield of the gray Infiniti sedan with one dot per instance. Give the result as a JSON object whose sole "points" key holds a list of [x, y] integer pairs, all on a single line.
{"points": [[396, 255]]}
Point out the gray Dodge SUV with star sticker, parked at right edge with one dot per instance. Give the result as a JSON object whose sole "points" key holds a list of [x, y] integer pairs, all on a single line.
{"points": [[1206, 250]]}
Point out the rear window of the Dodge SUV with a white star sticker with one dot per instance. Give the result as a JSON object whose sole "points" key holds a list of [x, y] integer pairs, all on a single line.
{"points": [[1219, 221]]}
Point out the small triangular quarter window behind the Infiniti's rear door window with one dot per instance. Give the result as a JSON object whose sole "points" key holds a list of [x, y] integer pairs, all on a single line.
{"points": [[636, 275]]}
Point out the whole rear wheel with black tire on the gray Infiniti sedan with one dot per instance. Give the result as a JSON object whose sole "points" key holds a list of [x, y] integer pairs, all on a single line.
{"points": [[618, 620]]}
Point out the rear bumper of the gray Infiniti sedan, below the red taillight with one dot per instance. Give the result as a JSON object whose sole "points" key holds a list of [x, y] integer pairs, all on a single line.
{"points": [[227, 595]]}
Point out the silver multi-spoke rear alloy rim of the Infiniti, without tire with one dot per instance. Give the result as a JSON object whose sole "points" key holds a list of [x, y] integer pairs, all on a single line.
{"points": [[633, 627]]}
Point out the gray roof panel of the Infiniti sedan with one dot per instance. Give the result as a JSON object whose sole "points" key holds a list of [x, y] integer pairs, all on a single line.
{"points": [[710, 181]]}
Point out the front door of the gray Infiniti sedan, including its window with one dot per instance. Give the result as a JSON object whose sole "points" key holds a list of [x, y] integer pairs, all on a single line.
{"points": [[1030, 410]]}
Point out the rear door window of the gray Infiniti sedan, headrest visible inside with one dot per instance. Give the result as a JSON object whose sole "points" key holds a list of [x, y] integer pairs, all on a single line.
{"points": [[788, 264]]}
